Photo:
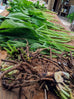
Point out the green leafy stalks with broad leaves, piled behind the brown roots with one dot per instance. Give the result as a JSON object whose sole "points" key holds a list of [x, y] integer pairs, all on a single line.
{"points": [[26, 21]]}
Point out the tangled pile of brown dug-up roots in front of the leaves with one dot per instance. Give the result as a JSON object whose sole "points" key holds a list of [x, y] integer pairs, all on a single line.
{"points": [[33, 72]]}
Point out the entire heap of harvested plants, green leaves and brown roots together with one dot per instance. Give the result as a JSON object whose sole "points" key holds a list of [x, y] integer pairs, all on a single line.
{"points": [[27, 29]]}
